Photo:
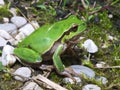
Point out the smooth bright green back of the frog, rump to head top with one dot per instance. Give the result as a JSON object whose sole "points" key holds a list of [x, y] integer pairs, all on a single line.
{"points": [[43, 39]]}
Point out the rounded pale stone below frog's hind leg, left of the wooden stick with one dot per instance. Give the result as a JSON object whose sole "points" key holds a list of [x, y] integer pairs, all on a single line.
{"points": [[23, 73]]}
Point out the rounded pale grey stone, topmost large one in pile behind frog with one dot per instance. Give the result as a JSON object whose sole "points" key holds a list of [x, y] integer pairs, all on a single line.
{"points": [[18, 21]]}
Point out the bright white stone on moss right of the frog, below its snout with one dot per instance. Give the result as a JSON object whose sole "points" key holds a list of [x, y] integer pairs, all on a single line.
{"points": [[90, 46]]}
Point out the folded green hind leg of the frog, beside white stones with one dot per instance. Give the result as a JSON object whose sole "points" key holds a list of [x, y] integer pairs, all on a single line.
{"points": [[27, 55]]}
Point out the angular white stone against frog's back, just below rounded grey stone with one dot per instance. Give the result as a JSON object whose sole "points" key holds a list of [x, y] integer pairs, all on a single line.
{"points": [[27, 29]]}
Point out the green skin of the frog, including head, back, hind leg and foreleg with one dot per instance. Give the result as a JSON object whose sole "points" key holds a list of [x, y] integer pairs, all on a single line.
{"points": [[37, 46]]}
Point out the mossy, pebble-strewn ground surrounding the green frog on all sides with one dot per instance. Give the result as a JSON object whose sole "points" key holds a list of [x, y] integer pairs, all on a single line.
{"points": [[98, 60]]}
